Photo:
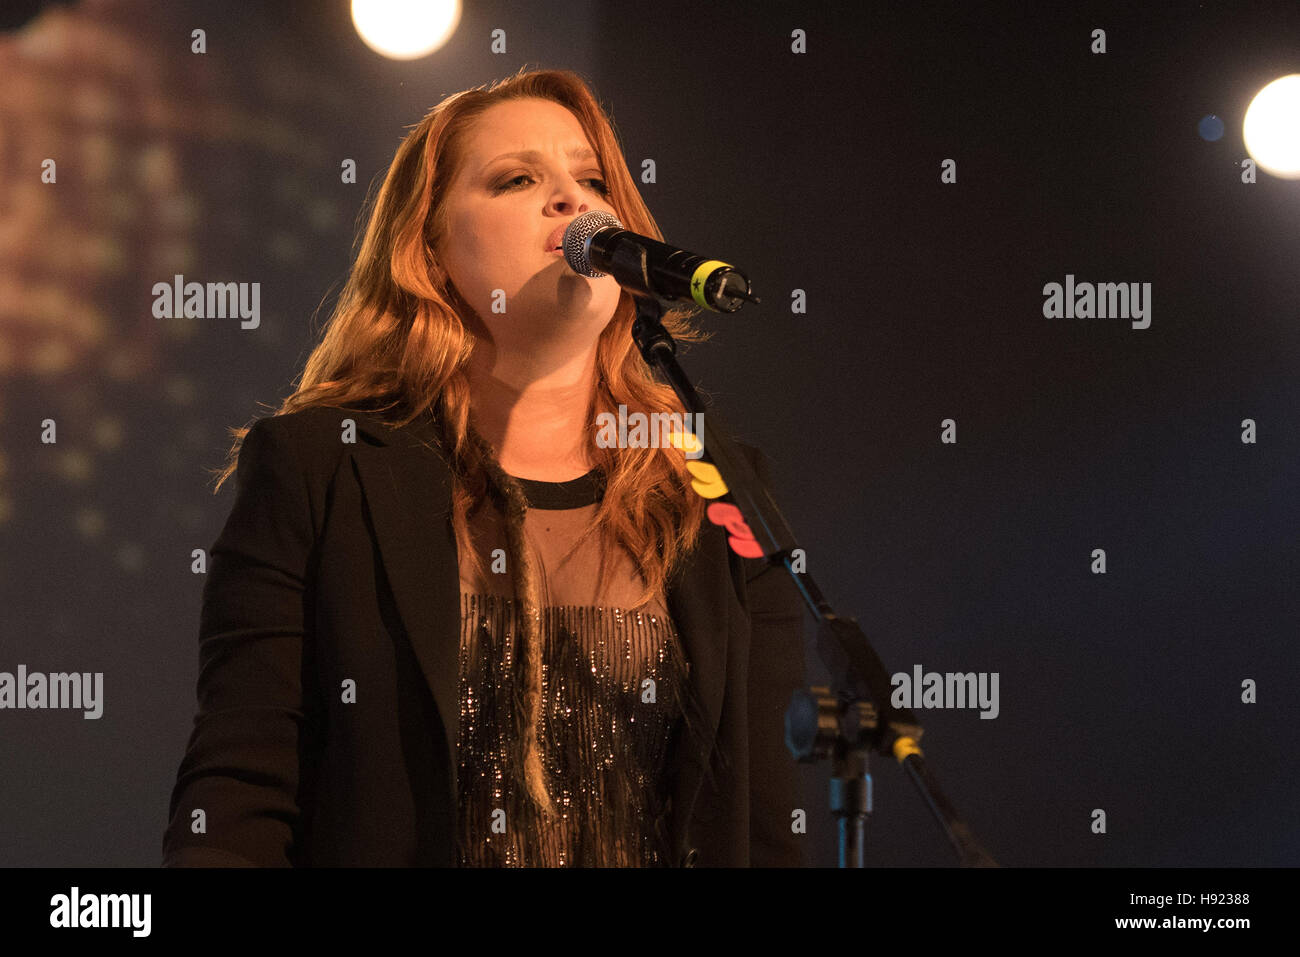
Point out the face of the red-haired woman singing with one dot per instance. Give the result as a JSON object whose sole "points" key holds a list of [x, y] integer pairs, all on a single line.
{"points": [[502, 210]]}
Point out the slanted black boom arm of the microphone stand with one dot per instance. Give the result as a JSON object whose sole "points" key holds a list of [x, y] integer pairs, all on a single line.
{"points": [[857, 672]]}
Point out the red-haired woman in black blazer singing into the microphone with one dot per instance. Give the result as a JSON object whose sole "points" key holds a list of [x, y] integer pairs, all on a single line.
{"points": [[443, 625]]}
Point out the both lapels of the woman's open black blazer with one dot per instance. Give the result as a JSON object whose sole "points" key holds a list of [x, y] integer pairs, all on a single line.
{"points": [[408, 490]]}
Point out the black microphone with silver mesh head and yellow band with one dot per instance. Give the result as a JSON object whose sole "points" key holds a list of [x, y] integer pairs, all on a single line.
{"points": [[647, 267]]}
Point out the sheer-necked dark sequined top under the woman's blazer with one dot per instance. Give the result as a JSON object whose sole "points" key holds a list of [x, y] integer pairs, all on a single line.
{"points": [[613, 688]]}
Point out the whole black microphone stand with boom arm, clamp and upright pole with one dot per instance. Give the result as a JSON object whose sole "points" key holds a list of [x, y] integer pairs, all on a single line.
{"points": [[853, 716]]}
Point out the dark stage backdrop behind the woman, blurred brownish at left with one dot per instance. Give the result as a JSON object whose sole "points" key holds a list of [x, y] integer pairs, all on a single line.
{"points": [[817, 172]]}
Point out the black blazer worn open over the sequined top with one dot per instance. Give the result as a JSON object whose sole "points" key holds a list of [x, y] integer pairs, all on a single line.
{"points": [[339, 562]]}
